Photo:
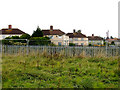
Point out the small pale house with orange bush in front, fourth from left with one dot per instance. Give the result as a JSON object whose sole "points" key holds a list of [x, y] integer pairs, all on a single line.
{"points": [[95, 40]]}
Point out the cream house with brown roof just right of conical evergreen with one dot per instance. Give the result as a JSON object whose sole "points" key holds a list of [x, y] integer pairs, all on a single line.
{"points": [[56, 36]]}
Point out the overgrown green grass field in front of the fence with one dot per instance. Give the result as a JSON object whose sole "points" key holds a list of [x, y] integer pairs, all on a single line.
{"points": [[57, 71]]}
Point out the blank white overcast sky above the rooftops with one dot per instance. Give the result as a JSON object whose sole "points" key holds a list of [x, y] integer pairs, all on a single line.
{"points": [[90, 16]]}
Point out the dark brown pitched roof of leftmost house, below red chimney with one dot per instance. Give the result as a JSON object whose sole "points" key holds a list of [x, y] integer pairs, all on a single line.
{"points": [[11, 31]]}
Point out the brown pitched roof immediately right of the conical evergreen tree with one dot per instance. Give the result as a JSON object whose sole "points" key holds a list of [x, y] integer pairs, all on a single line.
{"points": [[53, 32]]}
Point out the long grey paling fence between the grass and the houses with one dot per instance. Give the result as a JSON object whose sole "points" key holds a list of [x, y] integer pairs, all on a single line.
{"points": [[67, 51]]}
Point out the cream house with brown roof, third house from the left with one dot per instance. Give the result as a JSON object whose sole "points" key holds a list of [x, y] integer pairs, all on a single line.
{"points": [[77, 38]]}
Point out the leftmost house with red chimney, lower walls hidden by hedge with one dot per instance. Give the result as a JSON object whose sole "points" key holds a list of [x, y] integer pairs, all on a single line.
{"points": [[9, 32]]}
